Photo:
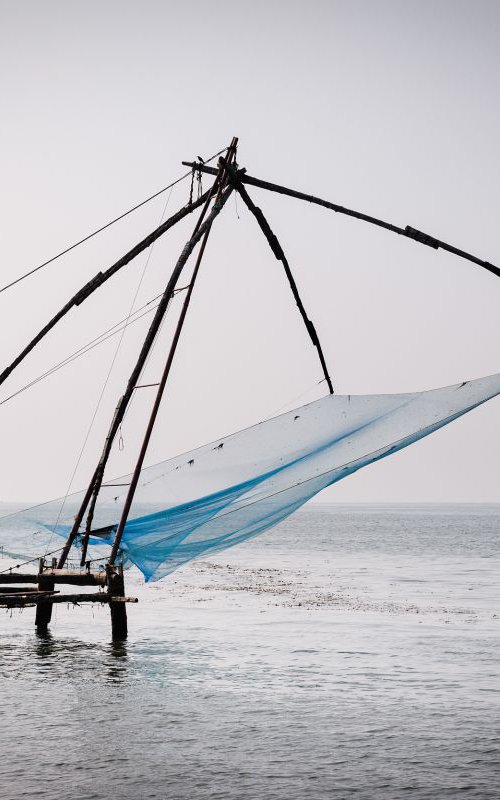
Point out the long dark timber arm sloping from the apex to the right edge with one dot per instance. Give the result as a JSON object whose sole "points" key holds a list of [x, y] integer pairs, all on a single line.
{"points": [[408, 231]]}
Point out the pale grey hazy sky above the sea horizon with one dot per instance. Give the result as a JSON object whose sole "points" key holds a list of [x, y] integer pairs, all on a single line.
{"points": [[391, 108]]}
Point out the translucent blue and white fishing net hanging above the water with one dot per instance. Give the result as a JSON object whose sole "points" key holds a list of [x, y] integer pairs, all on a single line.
{"points": [[226, 492]]}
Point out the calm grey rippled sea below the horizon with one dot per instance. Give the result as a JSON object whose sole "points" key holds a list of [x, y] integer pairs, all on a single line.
{"points": [[353, 652]]}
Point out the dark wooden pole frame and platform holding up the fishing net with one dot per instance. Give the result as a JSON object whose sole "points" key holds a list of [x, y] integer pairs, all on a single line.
{"points": [[19, 590]]}
